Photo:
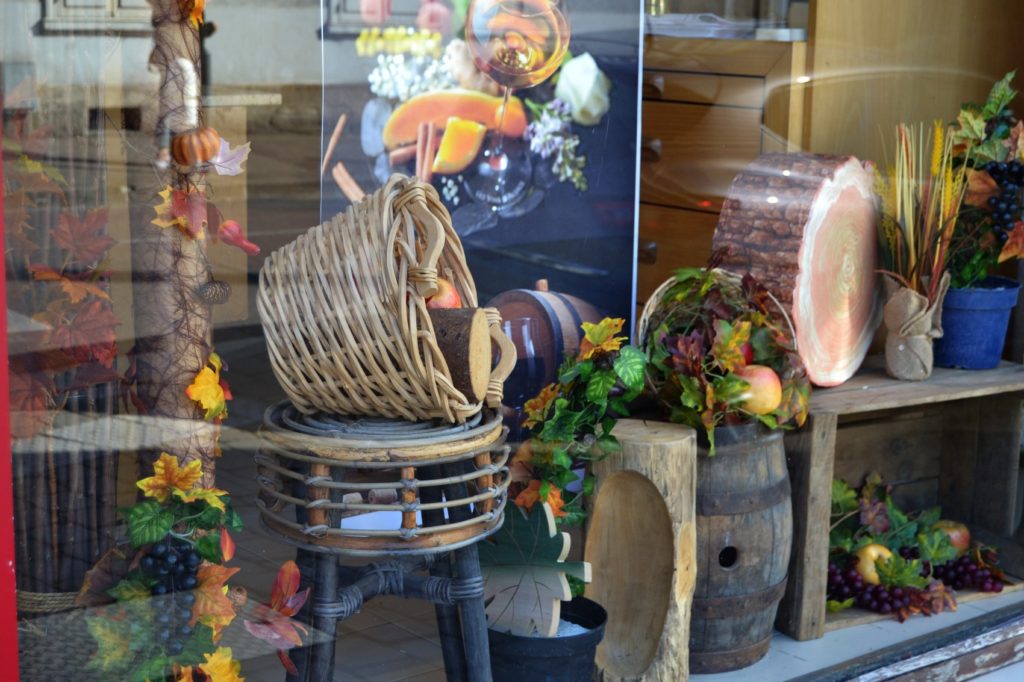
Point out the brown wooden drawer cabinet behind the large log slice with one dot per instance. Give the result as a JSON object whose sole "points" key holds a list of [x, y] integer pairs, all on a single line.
{"points": [[710, 108]]}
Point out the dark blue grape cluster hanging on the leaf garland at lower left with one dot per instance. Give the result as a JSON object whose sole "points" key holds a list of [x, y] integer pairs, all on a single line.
{"points": [[175, 565]]}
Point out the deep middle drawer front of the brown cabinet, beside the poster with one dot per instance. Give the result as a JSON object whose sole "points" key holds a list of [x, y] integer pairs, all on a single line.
{"points": [[691, 153]]}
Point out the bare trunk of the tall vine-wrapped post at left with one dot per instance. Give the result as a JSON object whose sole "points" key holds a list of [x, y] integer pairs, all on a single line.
{"points": [[173, 326]]}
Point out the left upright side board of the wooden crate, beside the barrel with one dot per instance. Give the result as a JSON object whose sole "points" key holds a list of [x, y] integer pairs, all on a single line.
{"points": [[812, 455]]}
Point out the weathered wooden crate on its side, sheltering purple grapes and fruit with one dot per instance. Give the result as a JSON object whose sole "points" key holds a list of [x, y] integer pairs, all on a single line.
{"points": [[953, 441]]}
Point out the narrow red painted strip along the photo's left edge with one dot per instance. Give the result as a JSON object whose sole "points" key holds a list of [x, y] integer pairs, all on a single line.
{"points": [[9, 608]]}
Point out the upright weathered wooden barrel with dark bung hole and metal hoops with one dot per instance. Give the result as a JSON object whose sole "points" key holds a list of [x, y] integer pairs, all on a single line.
{"points": [[745, 535]]}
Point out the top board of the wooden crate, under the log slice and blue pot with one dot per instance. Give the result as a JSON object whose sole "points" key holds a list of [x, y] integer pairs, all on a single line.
{"points": [[871, 390]]}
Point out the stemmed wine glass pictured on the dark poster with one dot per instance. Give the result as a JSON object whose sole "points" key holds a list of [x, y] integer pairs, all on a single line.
{"points": [[518, 45]]}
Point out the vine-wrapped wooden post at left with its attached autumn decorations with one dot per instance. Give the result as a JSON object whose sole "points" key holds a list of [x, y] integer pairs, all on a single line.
{"points": [[174, 328]]}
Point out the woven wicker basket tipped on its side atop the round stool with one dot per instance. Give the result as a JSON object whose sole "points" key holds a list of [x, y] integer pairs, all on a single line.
{"points": [[345, 314]]}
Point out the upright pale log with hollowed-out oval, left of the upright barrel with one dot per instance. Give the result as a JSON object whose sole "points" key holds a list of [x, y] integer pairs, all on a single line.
{"points": [[642, 541]]}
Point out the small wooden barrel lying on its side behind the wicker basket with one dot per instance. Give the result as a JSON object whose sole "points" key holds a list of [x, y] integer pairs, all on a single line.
{"points": [[560, 318]]}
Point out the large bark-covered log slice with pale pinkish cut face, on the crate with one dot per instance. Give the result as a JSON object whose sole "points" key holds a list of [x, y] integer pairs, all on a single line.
{"points": [[805, 227]]}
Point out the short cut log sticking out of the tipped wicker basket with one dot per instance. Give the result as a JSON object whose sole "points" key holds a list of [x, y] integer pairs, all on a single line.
{"points": [[464, 340]]}
